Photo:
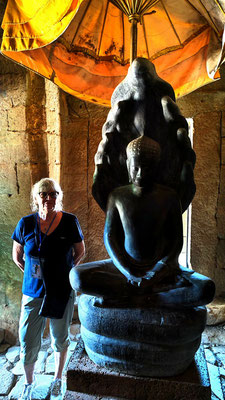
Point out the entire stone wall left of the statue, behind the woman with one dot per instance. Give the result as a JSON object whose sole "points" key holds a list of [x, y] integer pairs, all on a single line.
{"points": [[44, 132]]}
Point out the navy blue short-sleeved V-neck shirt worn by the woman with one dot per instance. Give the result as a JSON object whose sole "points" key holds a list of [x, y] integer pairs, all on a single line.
{"points": [[55, 254]]}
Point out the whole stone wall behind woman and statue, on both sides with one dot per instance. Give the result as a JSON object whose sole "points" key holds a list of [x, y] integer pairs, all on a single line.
{"points": [[46, 132]]}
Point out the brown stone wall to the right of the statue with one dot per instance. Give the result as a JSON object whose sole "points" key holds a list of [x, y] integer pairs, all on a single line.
{"points": [[206, 107]]}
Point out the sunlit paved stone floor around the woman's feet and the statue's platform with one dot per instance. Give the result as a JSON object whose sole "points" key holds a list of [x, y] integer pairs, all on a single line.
{"points": [[11, 378]]}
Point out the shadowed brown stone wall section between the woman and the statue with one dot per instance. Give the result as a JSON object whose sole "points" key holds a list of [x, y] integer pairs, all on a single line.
{"points": [[80, 134]]}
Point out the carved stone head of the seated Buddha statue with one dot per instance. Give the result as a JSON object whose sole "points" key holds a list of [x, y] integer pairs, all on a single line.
{"points": [[143, 155]]}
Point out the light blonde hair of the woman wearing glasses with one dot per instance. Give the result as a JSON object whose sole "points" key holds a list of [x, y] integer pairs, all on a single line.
{"points": [[45, 185]]}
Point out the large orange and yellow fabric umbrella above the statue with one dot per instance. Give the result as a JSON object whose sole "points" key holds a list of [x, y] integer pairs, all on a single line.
{"points": [[84, 45]]}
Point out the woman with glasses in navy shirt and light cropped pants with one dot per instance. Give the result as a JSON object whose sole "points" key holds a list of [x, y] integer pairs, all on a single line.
{"points": [[51, 243]]}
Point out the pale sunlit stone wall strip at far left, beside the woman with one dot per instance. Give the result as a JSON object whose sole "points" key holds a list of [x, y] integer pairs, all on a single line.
{"points": [[14, 188]]}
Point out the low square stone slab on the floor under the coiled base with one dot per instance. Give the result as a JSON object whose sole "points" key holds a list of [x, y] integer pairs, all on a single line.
{"points": [[88, 381]]}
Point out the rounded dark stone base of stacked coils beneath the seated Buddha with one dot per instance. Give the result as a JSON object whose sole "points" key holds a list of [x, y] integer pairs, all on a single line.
{"points": [[141, 341]]}
